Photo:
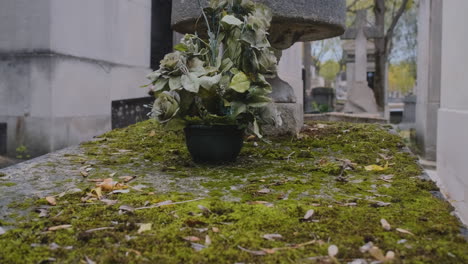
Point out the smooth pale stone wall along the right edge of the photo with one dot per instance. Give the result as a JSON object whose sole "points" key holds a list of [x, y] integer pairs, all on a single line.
{"points": [[452, 138]]}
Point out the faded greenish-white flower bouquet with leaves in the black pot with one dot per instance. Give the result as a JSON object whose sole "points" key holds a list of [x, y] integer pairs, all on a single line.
{"points": [[218, 76]]}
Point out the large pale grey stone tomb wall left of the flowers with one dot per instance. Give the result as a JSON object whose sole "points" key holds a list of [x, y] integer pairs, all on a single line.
{"points": [[62, 63]]}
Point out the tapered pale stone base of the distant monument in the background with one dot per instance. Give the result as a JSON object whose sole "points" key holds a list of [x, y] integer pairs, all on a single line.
{"points": [[361, 99]]}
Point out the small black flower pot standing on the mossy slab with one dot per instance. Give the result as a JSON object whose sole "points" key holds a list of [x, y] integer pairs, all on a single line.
{"points": [[214, 144]]}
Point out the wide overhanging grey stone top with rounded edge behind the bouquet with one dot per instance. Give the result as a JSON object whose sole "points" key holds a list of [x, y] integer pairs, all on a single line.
{"points": [[293, 21]]}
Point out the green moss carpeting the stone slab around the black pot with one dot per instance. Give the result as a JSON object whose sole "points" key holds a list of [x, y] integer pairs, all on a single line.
{"points": [[299, 173]]}
